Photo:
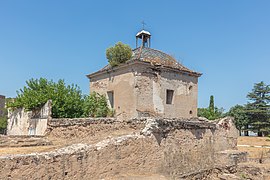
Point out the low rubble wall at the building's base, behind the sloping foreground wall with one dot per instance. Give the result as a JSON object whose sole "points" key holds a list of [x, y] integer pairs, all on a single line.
{"points": [[91, 127]]}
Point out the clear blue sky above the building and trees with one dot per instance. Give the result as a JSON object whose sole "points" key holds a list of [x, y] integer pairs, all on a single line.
{"points": [[227, 40]]}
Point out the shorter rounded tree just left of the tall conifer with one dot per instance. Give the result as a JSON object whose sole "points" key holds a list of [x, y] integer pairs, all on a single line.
{"points": [[241, 119]]}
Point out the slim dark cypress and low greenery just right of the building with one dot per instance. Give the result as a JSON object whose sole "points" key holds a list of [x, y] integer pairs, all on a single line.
{"points": [[211, 112]]}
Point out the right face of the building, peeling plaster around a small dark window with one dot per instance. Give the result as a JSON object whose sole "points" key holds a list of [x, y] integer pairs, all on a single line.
{"points": [[151, 86]]}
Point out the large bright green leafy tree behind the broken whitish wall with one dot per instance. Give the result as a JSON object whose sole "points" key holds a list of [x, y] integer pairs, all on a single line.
{"points": [[67, 101]]}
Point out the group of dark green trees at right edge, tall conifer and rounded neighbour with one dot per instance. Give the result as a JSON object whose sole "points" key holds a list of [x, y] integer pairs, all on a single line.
{"points": [[255, 115]]}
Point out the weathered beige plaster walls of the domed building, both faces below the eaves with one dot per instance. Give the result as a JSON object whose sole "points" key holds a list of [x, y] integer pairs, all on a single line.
{"points": [[140, 91]]}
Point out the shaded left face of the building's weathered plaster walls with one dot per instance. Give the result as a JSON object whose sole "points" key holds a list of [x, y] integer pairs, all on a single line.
{"points": [[121, 82]]}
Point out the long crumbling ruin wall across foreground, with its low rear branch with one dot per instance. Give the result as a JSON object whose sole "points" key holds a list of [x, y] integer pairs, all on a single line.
{"points": [[173, 148]]}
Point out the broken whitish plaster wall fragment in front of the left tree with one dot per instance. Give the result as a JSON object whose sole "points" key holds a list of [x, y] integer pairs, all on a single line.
{"points": [[21, 122]]}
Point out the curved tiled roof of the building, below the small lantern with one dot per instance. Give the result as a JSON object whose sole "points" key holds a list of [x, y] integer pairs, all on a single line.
{"points": [[156, 58]]}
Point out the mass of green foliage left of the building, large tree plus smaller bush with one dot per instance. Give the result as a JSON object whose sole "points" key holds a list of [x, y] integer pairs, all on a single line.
{"points": [[67, 100]]}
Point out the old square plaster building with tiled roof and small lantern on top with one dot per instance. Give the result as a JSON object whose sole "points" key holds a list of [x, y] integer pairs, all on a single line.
{"points": [[151, 83]]}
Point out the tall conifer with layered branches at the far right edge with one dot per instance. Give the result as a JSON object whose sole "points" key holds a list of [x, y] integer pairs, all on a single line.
{"points": [[258, 108]]}
